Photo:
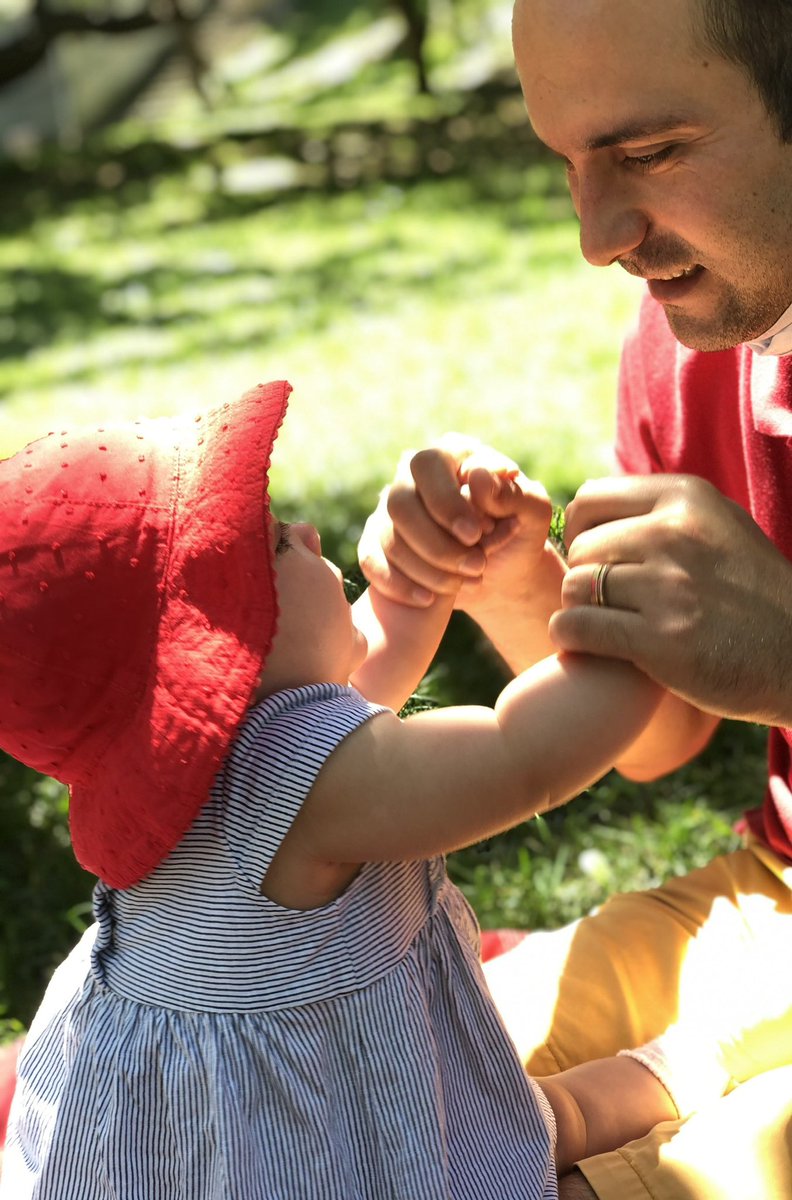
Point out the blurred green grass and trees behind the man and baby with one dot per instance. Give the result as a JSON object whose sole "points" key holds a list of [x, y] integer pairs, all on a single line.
{"points": [[199, 196]]}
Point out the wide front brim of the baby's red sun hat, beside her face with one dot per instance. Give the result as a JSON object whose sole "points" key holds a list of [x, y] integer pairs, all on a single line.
{"points": [[217, 623]]}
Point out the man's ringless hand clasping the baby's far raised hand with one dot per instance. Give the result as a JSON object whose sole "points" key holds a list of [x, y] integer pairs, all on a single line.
{"points": [[459, 519]]}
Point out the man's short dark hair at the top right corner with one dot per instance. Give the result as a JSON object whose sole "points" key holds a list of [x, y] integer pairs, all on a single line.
{"points": [[755, 35]]}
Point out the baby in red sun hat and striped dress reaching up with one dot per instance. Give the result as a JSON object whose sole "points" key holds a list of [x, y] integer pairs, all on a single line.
{"points": [[281, 997]]}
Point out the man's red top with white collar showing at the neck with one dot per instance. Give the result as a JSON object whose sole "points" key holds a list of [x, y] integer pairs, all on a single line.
{"points": [[728, 418]]}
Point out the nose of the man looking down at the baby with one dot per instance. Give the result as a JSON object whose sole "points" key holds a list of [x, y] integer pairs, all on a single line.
{"points": [[613, 224]]}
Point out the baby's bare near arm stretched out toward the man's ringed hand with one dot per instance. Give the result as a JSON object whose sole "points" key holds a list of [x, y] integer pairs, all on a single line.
{"points": [[434, 783]]}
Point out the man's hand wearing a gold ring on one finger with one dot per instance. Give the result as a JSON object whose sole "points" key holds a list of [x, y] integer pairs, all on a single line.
{"points": [[697, 596]]}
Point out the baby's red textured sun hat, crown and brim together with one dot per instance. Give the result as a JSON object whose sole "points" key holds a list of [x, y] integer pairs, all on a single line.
{"points": [[137, 607]]}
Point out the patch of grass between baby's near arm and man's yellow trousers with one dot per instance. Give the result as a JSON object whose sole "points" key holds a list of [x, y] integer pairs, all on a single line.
{"points": [[619, 837]]}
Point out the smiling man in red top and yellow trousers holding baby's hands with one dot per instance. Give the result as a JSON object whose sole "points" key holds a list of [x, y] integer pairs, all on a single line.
{"points": [[675, 124]]}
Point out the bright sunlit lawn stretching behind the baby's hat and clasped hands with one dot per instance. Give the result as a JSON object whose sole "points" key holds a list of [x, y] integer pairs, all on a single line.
{"points": [[395, 316]]}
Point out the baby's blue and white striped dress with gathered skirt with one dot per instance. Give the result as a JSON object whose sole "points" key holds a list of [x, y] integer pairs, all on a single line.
{"points": [[205, 1043]]}
